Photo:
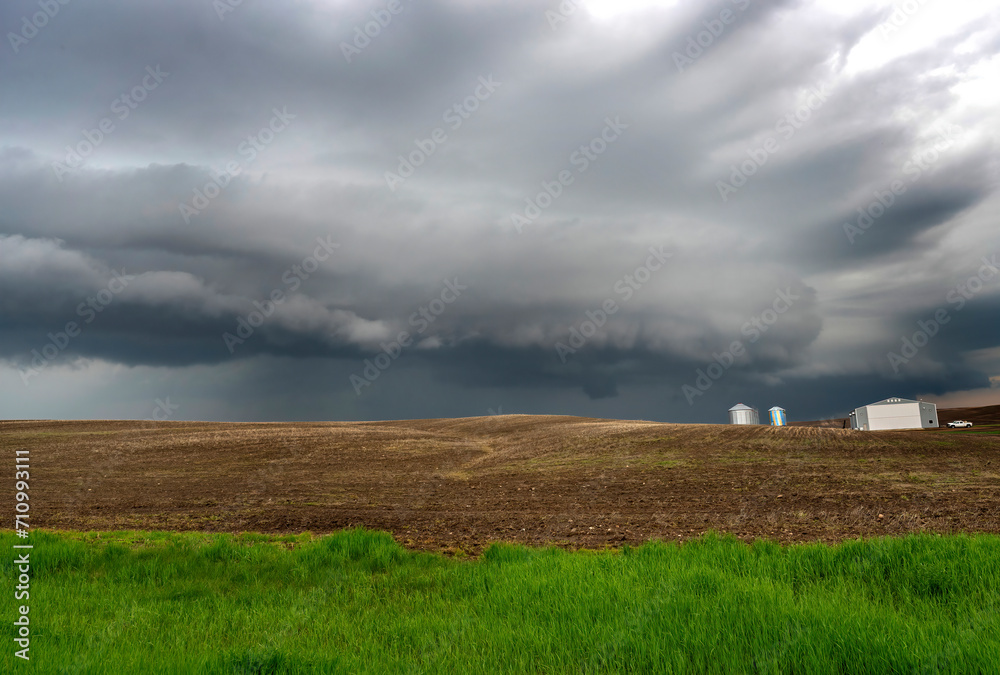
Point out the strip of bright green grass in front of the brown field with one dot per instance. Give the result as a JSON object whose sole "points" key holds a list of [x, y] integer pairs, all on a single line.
{"points": [[138, 602]]}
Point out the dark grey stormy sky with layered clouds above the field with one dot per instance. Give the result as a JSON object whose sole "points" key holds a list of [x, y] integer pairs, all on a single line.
{"points": [[376, 210]]}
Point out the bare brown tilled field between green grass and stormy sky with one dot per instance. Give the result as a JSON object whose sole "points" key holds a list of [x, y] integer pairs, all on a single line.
{"points": [[464, 483]]}
